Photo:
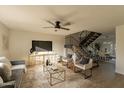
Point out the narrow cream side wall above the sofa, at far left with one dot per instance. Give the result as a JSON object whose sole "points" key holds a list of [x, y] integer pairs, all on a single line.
{"points": [[4, 40]]}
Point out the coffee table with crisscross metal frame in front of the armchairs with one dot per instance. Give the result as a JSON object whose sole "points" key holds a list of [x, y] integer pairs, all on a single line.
{"points": [[55, 75]]}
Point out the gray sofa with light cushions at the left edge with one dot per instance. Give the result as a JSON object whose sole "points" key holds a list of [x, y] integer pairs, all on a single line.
{"points": [[11, 73]]}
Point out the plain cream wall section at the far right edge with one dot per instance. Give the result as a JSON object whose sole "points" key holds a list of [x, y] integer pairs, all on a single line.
{"points": [[120, 49]]}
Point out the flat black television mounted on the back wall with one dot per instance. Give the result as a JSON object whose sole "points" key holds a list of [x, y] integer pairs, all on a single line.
{"points": [[41, 45]]}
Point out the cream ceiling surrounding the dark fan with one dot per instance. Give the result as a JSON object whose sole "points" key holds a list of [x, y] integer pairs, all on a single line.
{"points": [[32, 18]]}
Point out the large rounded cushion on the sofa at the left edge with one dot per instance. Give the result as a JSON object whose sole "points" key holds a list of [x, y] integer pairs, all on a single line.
{"points": [[5, 72]]}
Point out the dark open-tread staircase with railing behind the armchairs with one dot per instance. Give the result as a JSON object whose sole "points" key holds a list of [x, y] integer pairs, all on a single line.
{"points": [[85, 39]]}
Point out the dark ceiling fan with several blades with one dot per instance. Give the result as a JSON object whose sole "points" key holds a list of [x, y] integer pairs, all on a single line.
{"points": [[58, 25]]}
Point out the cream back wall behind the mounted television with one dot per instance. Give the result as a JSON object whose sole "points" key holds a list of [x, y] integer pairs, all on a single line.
{"points": [[21, 43]]}
